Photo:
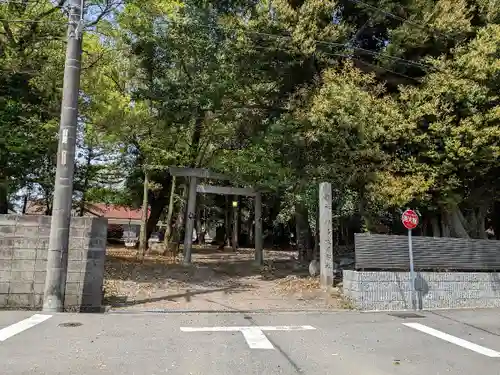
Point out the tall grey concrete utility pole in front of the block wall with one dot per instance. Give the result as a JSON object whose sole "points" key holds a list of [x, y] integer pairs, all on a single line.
{"points": [[57, 257]]}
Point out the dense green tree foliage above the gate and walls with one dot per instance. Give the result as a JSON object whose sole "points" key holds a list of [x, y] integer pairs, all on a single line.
{"points": [[395, 103]]}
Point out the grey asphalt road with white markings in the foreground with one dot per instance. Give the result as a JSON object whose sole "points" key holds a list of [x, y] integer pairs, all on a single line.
{"points": [[340, 343]]}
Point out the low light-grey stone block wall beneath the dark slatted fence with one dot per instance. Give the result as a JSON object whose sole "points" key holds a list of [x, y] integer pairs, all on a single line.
{"points": [[385, 290]]}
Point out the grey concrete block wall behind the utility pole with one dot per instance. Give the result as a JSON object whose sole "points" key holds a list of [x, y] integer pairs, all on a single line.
{"points": [[24, 243]]}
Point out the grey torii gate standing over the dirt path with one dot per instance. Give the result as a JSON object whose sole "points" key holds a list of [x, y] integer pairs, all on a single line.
{"points": [[196, 173]]}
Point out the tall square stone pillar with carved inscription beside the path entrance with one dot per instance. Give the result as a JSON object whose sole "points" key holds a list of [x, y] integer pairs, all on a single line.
{"points": [[325, 234]]}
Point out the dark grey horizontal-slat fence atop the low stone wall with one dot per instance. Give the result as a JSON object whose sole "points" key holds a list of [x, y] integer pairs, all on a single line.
{"points": [[387, 252]]}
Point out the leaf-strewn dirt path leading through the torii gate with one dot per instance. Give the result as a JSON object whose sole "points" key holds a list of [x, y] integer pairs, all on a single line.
{"points": [[216, 281]]}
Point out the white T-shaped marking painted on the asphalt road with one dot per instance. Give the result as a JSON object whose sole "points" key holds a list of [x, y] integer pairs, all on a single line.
{"points": [[254, 335]]}
